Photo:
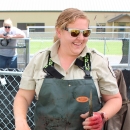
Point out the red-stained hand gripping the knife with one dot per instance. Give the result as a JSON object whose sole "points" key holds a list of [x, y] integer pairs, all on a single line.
{"points": [[94, 122]]}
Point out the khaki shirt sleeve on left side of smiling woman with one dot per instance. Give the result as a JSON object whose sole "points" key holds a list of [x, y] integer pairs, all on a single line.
{"points": [[33, 74]]}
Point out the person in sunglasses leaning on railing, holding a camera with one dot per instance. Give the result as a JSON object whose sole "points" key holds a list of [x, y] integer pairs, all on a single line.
{"points": [[8, 57]]}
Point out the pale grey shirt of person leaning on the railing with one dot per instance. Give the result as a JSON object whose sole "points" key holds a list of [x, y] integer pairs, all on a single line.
{"points": [[10, 52]]}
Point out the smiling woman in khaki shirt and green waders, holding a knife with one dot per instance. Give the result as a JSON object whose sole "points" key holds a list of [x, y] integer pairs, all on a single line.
{"points": [[63, 76]]}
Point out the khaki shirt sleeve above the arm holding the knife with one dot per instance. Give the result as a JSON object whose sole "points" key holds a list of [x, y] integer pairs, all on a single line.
{"points": [[107, 79]]}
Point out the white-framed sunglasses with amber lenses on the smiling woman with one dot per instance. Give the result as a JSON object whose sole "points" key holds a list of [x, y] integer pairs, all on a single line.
{"points": [[76, 32]]}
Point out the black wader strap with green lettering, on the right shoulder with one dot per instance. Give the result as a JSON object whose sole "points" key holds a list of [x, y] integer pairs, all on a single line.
{"points": [[85, 65]]}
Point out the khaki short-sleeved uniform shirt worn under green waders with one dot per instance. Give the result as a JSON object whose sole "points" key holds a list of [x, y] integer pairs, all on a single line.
{"points": [[102, 74]]}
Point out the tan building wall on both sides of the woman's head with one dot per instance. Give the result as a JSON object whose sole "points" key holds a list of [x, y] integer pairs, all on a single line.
{"points": [[49, 18]]}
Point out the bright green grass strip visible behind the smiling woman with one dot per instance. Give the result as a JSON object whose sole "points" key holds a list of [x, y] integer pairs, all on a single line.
{"points": [[111, 47]]}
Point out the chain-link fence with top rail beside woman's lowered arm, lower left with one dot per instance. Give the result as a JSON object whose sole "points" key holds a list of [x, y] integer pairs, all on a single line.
{"points": [[9, 85]]}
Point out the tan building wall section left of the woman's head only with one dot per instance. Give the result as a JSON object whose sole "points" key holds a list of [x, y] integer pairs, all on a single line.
{"points": [[48, 18]]}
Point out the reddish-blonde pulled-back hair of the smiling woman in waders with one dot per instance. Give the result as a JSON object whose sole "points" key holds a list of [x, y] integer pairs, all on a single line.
{"points": [[68, 16]]}
